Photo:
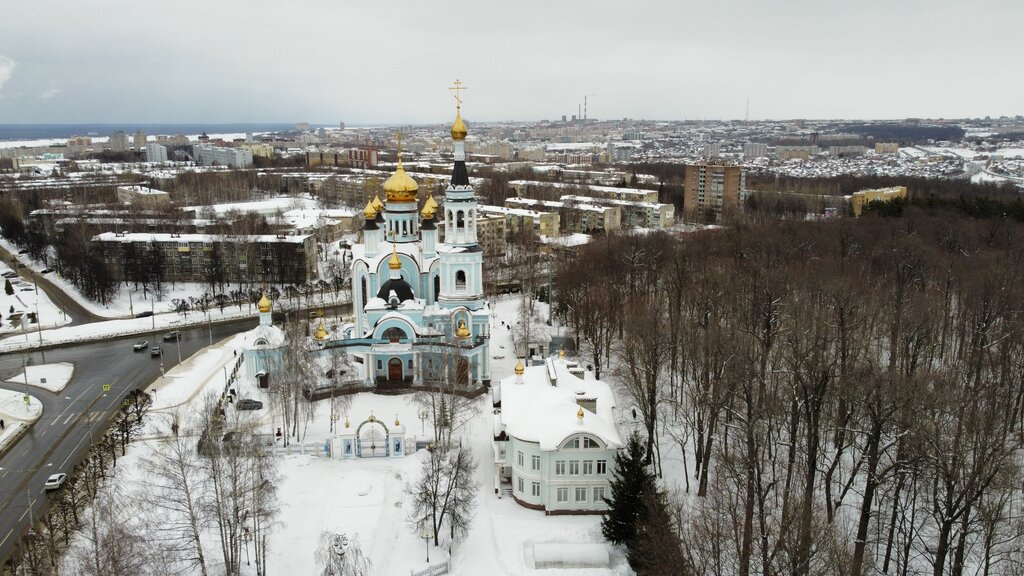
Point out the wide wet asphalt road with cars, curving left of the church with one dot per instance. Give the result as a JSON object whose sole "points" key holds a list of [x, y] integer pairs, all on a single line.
{"points": [[62, 437]]}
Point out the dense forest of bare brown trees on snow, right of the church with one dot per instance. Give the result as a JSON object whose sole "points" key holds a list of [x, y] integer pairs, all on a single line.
{"points": [[832, 398]]}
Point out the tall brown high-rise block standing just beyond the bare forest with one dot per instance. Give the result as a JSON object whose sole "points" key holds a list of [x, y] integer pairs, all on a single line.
{"points": [[711, 190]]}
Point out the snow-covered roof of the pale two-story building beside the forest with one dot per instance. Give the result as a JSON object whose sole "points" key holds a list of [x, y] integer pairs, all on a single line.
{"points": [[545, 405]]}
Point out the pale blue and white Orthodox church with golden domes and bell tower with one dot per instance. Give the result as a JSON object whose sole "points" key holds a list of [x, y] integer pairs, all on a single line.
{"points": [[420, 312]]}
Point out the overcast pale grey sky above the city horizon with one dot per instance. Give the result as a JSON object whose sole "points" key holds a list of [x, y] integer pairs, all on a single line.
{"points": [[327, 61]]}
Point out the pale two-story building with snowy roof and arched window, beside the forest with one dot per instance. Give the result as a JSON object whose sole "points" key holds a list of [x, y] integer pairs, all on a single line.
{"points": [[556, 439]]}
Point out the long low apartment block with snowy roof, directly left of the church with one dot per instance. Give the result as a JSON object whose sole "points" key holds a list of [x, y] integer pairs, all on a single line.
{"points": [[195, 258]]}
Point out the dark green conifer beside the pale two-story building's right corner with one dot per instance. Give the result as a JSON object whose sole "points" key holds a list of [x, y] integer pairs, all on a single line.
{"points": [[626, 505]]}
